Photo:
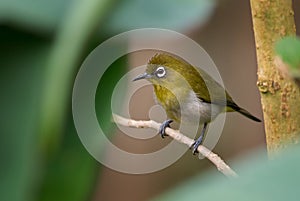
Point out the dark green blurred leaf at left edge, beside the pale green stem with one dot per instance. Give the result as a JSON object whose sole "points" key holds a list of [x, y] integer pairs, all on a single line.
{"points": [[21, 72]]}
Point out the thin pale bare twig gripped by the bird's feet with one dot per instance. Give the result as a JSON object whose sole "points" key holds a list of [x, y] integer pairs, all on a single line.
{"points": [[214, 158]]}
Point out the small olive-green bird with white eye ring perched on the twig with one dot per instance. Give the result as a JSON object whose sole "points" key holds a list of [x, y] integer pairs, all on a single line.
{"points": [[168, 75]]}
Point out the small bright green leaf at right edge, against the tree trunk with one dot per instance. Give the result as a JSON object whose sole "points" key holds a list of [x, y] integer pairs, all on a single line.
{"points": [[288, 49]]}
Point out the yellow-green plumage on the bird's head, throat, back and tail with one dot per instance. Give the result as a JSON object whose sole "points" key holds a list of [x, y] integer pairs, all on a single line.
{"points": [[198, 81]]}
